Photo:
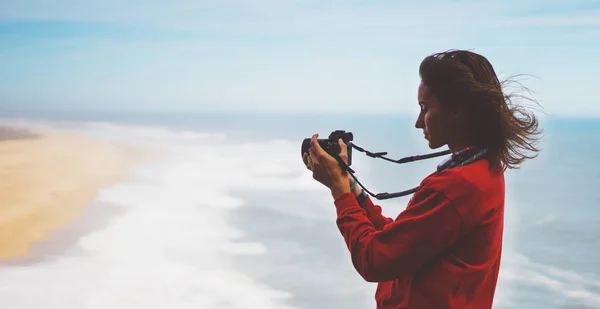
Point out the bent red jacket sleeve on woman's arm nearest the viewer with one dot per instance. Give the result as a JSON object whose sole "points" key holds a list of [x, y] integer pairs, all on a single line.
{"points": [[429, 225]]}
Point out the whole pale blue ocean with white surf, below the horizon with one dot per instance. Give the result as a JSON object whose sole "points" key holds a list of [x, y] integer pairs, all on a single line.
{"points": [[230, 218]]}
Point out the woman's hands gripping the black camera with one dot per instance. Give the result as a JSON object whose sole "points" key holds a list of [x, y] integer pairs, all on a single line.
{"points": [[326, 168]]}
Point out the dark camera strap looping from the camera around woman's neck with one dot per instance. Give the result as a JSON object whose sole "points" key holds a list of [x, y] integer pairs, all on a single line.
{"points": [[460, 158]]}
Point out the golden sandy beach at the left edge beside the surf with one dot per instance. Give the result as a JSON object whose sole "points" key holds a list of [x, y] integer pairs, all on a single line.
{"points": [[48, 177]]}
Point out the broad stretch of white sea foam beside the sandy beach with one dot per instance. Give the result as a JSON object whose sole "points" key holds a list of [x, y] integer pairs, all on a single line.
{"points": [[169, 249]]}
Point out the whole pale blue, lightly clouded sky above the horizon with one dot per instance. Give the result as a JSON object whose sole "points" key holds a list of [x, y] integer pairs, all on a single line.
{"points": [[319, 56]]}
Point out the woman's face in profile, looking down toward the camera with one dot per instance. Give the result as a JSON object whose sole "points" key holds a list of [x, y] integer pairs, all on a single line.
{"points": [[439, 126]]}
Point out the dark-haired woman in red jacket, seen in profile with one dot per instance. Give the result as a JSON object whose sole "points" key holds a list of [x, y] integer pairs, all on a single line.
{"points": [[444, 249]]}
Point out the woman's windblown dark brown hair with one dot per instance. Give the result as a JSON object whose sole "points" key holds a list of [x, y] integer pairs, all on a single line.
{"points": [[466, 80]]}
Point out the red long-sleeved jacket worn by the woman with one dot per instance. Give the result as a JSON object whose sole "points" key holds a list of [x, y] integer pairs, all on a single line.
{"points": [[443, 251]]}
